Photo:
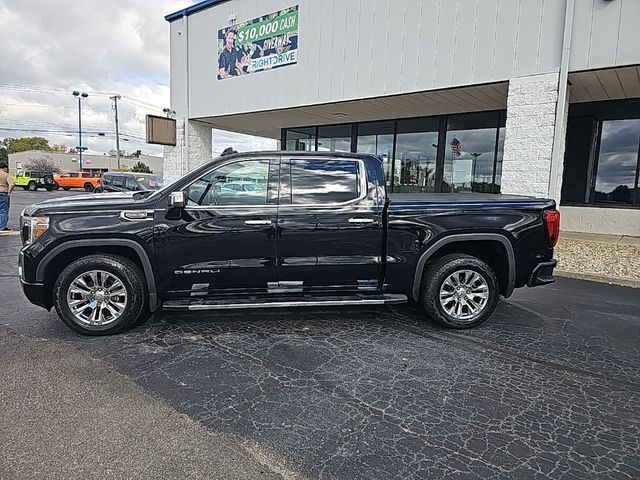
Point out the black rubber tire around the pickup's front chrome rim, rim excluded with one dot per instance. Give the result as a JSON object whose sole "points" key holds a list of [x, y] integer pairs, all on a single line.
{"points": [[135, 310]]}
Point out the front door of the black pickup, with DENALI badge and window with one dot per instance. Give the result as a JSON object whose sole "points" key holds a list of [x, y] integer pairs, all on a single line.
{"points": [[223, 240]]}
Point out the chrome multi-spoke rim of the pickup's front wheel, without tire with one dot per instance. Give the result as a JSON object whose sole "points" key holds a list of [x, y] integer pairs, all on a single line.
{"points": [[97, 297]]}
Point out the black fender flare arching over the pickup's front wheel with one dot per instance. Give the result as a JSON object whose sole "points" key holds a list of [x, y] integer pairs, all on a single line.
{"points": [[106, 242]]}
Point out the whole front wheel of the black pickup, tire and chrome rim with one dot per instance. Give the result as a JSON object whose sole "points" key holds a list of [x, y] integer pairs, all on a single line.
{"points": [[101, 295]]}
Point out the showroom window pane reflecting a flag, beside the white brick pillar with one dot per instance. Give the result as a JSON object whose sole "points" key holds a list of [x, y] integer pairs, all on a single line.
{"points": [[470, 153]]}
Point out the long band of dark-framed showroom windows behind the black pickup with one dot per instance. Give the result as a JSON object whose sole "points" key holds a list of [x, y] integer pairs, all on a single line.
{"points": [[450, 153]]}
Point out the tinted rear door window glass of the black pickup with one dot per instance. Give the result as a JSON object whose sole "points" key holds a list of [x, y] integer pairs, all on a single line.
{"points": [[315, 181]]}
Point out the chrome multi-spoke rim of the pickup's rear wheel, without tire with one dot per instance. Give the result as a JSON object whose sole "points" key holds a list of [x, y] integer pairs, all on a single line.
{"points": [[464, 295]]}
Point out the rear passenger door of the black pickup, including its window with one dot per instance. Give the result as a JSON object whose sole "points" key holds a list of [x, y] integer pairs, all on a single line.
{"points": [[329, 227]]}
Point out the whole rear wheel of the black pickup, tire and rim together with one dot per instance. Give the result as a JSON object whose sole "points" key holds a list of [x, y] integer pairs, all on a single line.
{"points": [[439, 272]]}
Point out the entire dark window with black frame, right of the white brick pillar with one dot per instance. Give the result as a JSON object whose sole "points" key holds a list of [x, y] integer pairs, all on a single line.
{"points": [[602, 154]]}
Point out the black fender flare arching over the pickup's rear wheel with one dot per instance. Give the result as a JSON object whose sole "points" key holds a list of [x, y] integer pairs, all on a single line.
{"points": [[466, 237]]}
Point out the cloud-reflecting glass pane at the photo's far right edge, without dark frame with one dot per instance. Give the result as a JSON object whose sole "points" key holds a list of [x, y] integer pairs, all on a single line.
{"points": [[617, 162]]}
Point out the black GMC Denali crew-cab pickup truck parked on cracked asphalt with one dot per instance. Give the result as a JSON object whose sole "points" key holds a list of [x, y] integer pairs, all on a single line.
{"points": [[281, 229]]}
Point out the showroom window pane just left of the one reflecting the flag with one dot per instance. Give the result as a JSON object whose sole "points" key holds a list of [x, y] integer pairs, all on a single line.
{"points": [[415, 160]]}
